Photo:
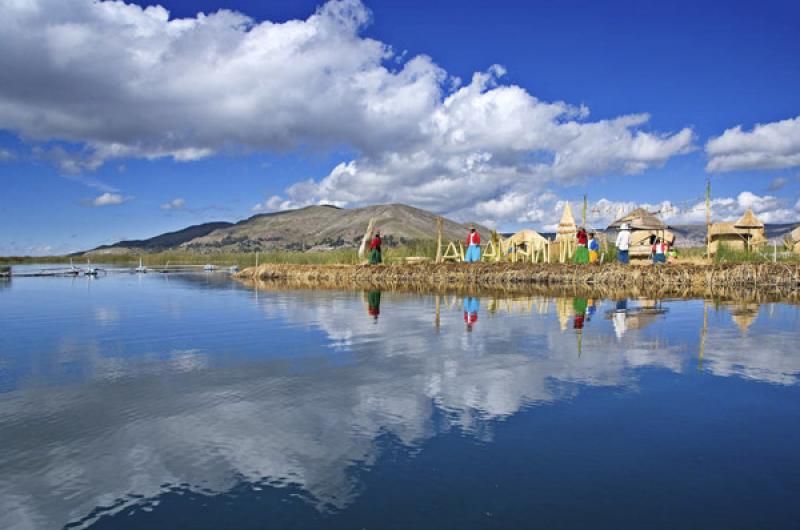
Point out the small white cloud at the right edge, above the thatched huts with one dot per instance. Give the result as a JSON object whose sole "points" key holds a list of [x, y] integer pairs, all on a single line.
{"points": [[768, 146]]}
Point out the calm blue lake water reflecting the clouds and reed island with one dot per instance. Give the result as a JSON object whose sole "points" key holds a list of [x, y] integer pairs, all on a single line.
{"points": [[159, 401]]}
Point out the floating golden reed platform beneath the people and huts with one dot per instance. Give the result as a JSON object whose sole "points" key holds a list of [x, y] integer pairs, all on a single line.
{"points": [[765, 281]]}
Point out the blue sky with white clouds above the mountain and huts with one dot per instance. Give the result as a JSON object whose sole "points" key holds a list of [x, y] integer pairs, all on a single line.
{"points": [[120, 123]]}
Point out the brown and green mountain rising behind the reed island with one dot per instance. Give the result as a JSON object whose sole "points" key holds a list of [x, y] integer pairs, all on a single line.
{"points": [[309, 228]]}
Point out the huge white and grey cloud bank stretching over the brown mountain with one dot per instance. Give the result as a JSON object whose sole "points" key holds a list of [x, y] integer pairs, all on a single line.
{"points": [[124, 81]]}
